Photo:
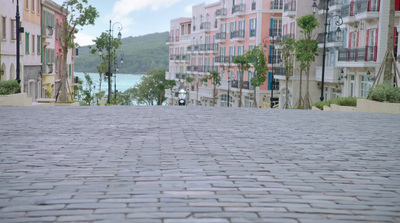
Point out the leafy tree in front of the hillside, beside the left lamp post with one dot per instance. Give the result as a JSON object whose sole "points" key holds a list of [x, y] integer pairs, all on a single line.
{"points": [[104, 42]]}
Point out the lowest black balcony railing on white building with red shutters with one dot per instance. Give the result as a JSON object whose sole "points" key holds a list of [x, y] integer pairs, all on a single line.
{"points": [[358, 54]]}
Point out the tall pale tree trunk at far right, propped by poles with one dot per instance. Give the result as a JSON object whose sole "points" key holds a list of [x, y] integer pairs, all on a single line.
{"points": [[387, 76]]}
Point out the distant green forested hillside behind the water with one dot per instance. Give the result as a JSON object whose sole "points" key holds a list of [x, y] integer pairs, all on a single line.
{"points": [[142, 53]]}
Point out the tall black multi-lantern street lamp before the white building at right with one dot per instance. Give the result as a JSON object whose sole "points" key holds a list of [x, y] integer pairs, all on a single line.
{"points": [[338, 37]]}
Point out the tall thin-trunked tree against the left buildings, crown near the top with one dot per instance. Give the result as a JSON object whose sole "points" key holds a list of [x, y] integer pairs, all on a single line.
{"points": [[77, 14]]}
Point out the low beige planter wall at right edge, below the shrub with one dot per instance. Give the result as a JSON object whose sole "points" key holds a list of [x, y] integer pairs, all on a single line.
{"points": [[364, 105]]}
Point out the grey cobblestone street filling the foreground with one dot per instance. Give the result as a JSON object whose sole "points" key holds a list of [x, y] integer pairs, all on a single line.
{"points": [[197, 165]]}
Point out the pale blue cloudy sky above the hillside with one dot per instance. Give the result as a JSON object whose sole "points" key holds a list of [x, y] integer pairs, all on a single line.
{"points": [[137, 17]]}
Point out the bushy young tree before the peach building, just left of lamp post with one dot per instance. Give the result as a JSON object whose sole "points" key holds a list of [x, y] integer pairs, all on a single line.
{"points": [[257, 60]]}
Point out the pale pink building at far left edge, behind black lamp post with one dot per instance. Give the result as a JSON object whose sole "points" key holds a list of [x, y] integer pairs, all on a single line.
{"points": [[8, 42]]}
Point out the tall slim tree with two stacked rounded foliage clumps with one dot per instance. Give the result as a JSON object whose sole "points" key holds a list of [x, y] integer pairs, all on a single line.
{"points": [[306, 50]]}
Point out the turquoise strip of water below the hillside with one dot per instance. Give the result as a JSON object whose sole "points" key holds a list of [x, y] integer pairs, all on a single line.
{"points": [[124, 81]]}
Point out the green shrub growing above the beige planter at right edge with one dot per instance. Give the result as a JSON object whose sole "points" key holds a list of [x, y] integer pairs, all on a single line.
{"points": [[385, 92]]}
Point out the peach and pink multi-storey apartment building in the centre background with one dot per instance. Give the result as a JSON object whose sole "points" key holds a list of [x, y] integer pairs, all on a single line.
{"points": [[219, 32]]}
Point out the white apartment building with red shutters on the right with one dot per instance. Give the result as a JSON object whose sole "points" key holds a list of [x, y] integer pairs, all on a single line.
{"points": [[352, 61]]}
